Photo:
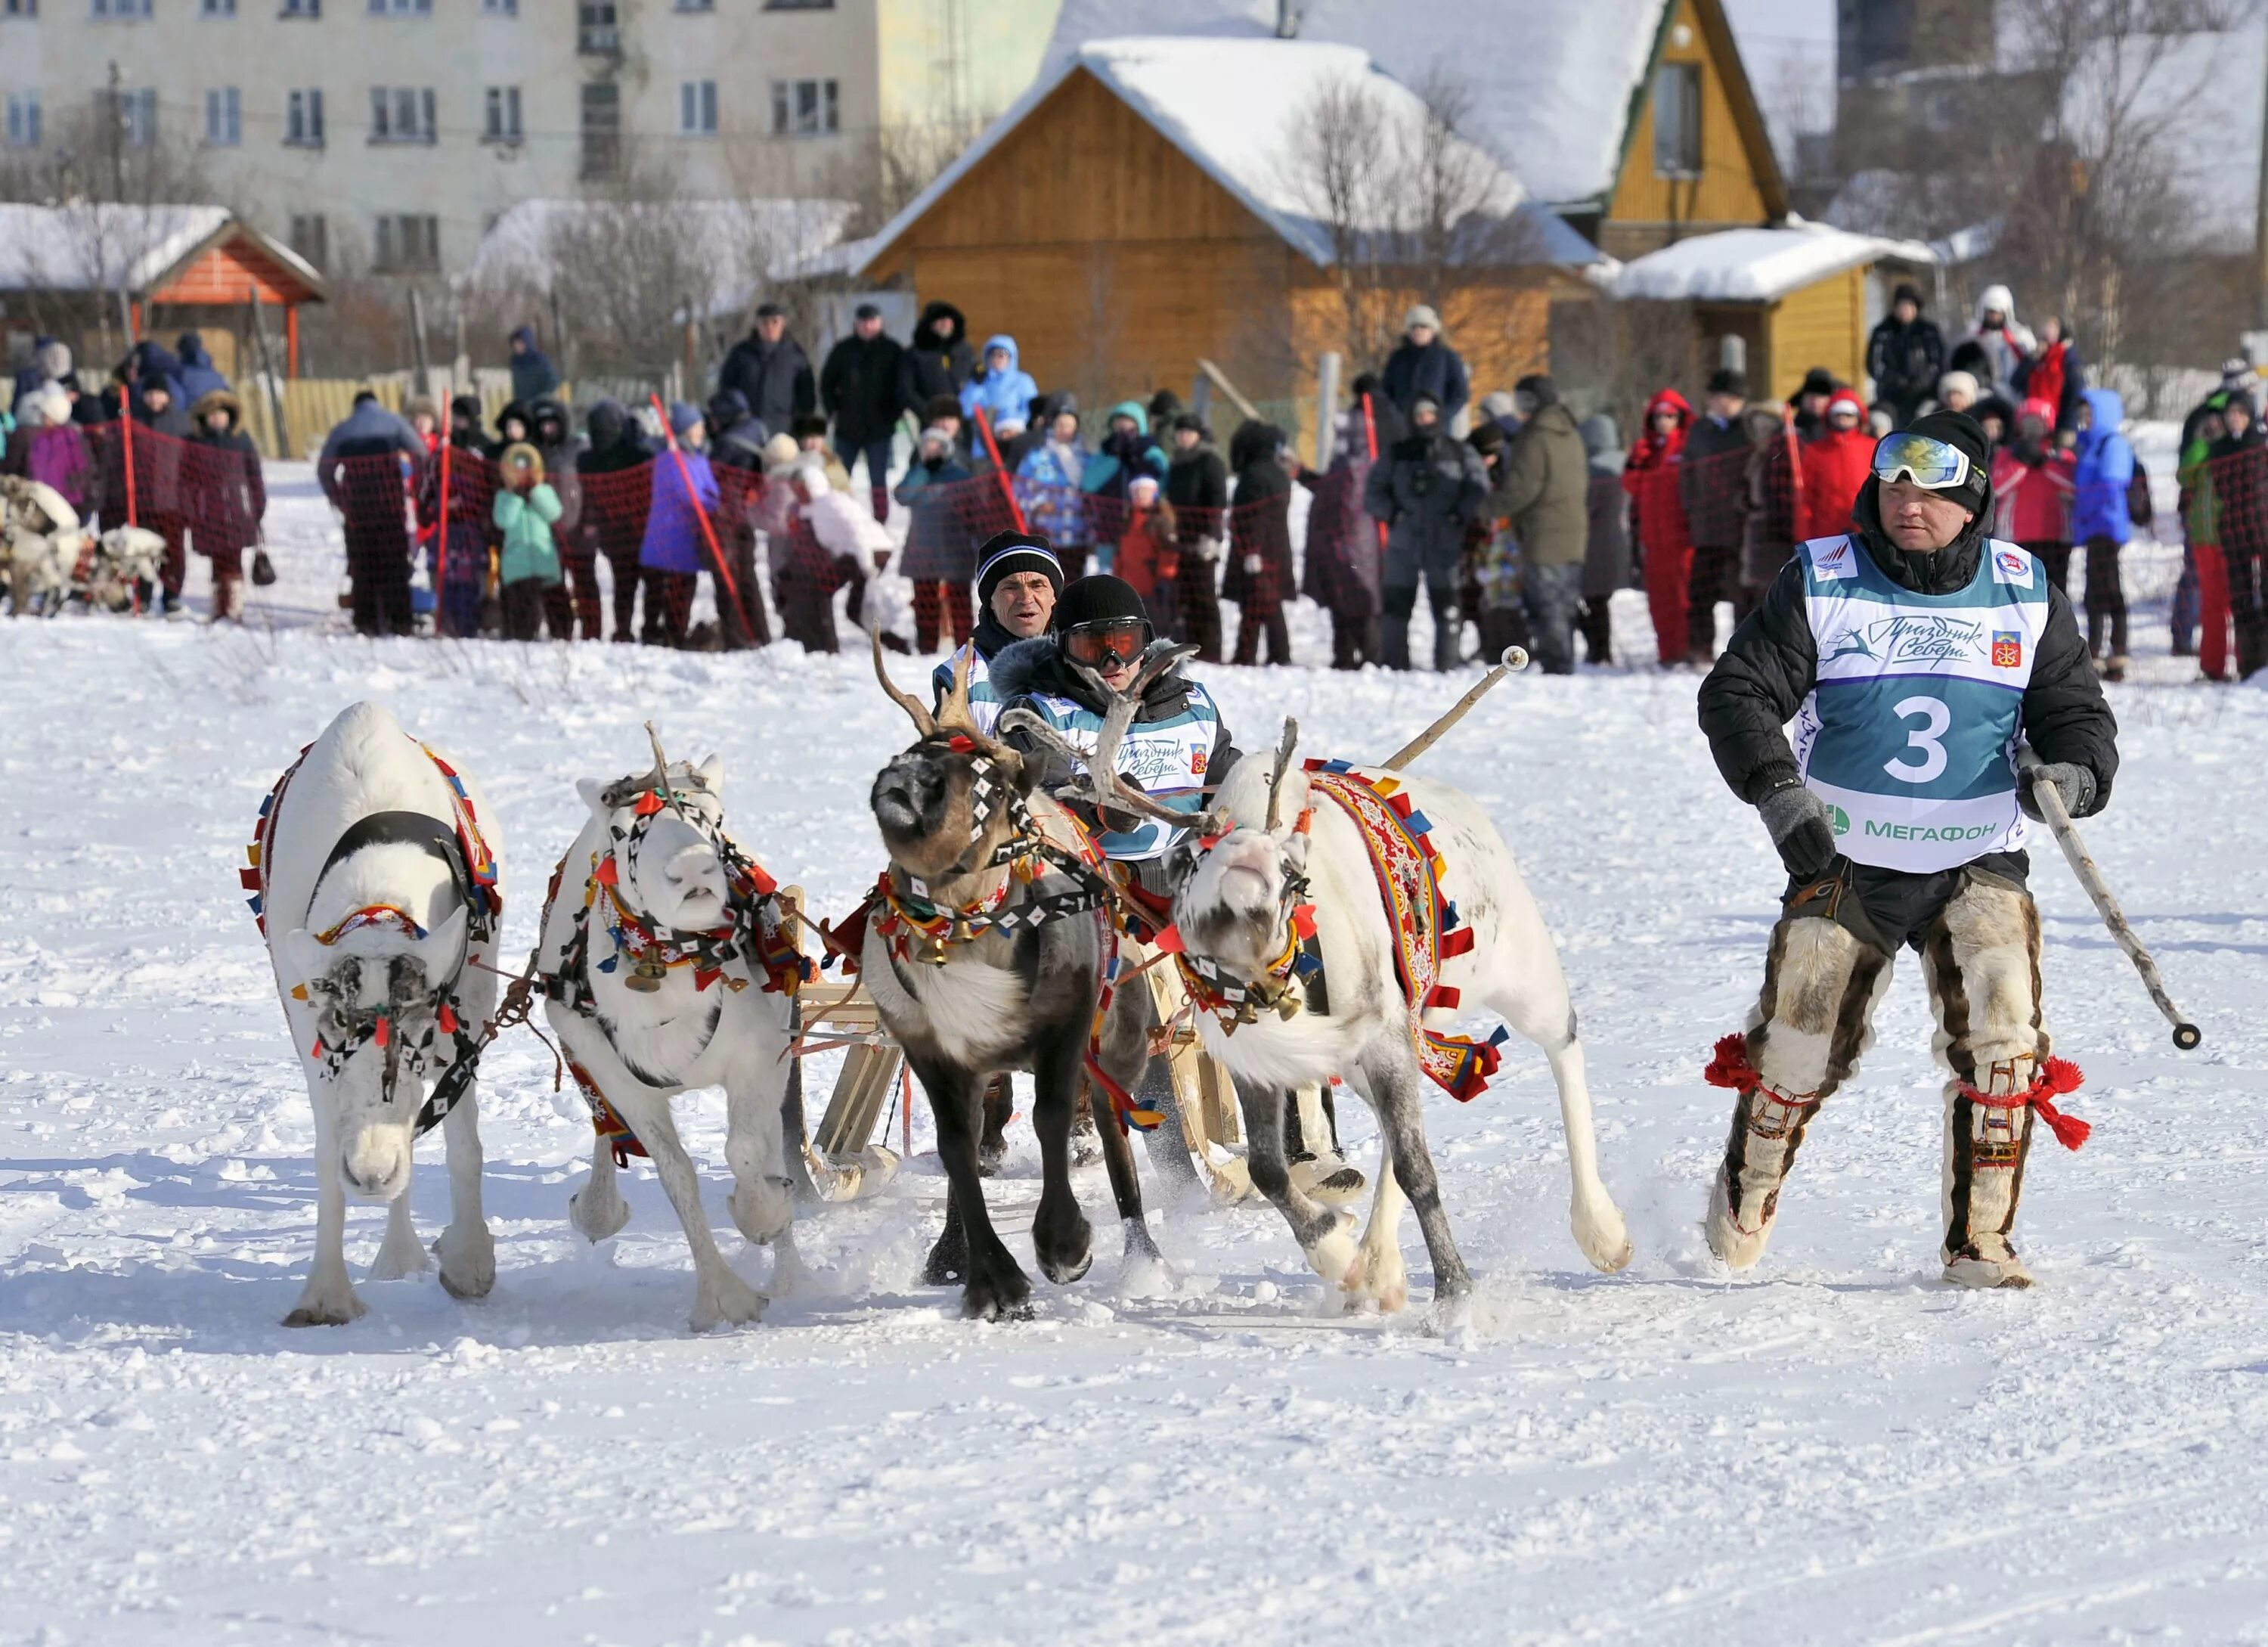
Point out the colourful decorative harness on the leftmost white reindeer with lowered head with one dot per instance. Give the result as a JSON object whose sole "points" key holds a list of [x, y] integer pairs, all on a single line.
{"points": [[473, 870]]}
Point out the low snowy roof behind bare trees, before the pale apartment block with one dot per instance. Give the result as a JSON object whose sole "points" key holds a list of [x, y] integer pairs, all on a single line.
{"points": [[722, 237]]}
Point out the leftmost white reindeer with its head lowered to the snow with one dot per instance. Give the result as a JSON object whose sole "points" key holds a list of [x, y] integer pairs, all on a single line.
{"points": [[373, 879]]}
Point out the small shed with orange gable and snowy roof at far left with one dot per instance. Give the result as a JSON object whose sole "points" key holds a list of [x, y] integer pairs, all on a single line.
{"points": [[62, 264]]}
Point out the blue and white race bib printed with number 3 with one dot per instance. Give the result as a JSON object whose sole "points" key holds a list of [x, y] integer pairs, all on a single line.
{"points": [[1911, 729]]}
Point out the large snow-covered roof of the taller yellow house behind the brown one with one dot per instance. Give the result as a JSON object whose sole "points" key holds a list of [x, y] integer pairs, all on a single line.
{"points": [[1550, 81]]}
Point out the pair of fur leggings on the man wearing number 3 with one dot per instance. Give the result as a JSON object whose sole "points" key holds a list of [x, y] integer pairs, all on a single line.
{"points": [[1816, 1020]]}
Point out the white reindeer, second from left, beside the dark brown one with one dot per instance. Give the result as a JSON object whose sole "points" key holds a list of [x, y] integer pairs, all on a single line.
{"points": [[666, 968]]}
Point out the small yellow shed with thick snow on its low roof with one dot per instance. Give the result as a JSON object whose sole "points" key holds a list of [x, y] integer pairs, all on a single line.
{"points": [[1797, 296]]}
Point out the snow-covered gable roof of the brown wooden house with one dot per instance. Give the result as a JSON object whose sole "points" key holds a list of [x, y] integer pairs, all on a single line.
{"points": [[1233, 108]]}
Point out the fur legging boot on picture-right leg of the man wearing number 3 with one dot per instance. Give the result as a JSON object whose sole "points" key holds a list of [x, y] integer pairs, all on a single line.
{"points": [[1983, 968]]}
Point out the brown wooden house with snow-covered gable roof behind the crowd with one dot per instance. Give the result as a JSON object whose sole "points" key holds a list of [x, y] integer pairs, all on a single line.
{"points": [[1142, 208]]}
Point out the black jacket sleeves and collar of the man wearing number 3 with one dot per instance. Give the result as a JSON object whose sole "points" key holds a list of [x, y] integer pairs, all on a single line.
{"points": [[1772, 664]]}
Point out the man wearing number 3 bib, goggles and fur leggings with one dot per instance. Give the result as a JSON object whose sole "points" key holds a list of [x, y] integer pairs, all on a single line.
{"points": [[1913, 657]]}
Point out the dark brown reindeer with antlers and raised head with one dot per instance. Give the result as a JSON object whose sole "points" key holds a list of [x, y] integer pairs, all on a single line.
{"points": [[985, 949]]}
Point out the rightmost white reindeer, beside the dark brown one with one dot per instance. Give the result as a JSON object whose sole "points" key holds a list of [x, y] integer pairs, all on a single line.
{"points": [[1294, 963]]}
